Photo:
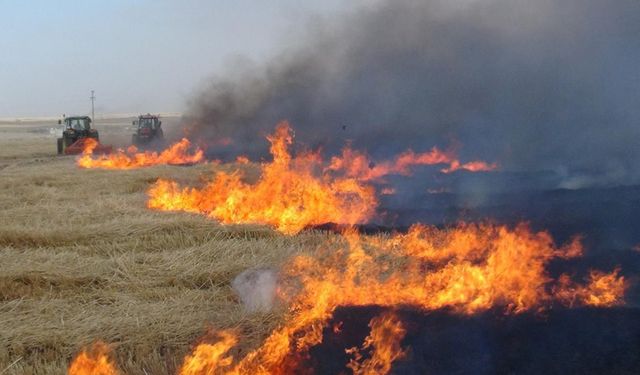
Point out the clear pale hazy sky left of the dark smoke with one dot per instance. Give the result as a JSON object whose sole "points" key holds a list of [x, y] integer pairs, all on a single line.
{"points": [[139, 56]]}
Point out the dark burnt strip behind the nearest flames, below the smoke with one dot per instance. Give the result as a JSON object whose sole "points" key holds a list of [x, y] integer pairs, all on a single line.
{"points": [[606, 217]]}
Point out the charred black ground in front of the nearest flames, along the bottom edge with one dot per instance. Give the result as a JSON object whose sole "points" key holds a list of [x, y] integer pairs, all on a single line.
{"points": [[560, 341]]}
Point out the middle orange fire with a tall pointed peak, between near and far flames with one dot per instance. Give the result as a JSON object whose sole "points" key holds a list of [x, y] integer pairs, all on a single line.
{"points": [[289, 194]]}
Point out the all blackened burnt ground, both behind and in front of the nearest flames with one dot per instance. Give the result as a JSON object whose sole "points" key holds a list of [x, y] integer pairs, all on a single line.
{"points": [[556, 341]]}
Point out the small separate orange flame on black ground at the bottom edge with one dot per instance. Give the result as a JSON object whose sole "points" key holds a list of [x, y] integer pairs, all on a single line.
{"points": [[384, 342]]}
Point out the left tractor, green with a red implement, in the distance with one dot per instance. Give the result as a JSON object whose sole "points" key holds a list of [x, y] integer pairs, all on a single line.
{"points": [[77, 129]]}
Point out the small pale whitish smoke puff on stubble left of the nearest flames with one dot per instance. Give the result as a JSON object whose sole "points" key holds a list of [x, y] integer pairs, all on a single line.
{"points": [[256, 289]]}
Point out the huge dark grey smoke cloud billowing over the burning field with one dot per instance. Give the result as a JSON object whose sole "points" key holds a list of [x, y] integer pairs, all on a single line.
{"points": [[534, 85]]}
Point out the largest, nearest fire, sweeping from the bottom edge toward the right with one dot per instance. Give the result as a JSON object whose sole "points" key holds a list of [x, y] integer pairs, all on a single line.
{"points": [[466, 269]]}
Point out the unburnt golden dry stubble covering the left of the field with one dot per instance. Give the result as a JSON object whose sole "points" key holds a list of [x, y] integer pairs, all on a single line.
{"points": [[83, 259]]}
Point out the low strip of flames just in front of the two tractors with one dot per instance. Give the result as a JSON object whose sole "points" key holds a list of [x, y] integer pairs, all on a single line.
{"points": [[177, 153]]}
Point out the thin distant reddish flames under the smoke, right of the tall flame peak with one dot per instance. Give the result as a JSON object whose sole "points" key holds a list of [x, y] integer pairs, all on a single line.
{"points": [[358, 165]]}
